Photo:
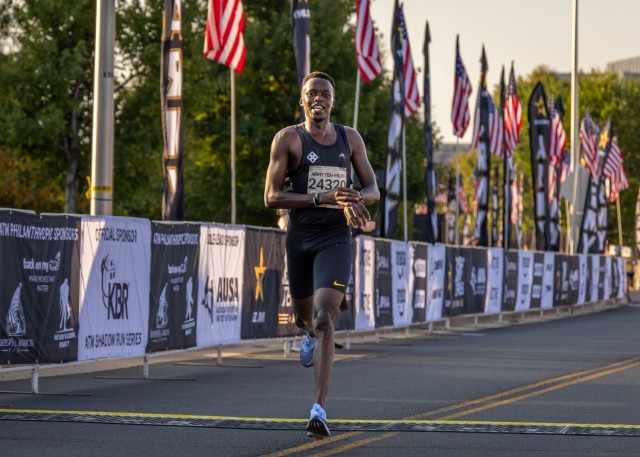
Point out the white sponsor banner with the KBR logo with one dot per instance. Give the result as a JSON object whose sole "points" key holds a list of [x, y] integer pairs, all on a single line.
{"points": [[115, 256]]}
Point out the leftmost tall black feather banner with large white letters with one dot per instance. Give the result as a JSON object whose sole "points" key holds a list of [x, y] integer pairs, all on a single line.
{"points": [[171, 101]]}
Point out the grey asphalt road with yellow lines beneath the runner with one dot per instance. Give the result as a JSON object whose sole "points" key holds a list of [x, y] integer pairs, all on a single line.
{"points": [[543, 387]]}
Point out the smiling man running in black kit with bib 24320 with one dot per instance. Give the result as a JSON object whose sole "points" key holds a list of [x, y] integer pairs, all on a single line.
{"points": [[317, 156]]}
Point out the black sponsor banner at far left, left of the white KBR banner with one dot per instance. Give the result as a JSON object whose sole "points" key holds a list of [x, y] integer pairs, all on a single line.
{"points": [[39, 288]]}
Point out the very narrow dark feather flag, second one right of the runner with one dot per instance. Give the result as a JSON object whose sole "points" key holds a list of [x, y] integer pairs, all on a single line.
{"points": [[432, 216]]}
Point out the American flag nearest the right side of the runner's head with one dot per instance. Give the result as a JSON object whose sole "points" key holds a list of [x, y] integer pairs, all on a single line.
{"points": [[367, 55]]}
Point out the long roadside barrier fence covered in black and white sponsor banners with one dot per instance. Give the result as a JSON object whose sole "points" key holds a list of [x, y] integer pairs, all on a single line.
{"points": [[76, 288]]}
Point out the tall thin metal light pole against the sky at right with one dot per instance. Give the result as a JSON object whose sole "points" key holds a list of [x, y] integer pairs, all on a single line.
{"points": [[575, 203]]}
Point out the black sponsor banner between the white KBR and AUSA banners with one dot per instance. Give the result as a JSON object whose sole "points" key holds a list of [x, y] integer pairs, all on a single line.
{"points": [[174, 286]]}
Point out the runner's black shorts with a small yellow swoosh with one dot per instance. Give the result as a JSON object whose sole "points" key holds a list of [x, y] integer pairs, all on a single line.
{"points": [[318, 256]]}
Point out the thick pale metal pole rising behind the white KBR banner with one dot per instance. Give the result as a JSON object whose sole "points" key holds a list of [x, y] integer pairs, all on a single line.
{"points": [[101, 186]]}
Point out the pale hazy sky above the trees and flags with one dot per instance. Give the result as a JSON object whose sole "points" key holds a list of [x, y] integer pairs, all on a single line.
{"points": [[528, 32]]}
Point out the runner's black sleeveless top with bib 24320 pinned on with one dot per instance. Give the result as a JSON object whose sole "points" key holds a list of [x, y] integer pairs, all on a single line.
{"points": [[321, 169]]}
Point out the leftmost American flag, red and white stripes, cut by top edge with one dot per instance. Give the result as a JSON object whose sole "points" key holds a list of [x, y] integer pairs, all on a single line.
{"points": [[223, 40]]}
